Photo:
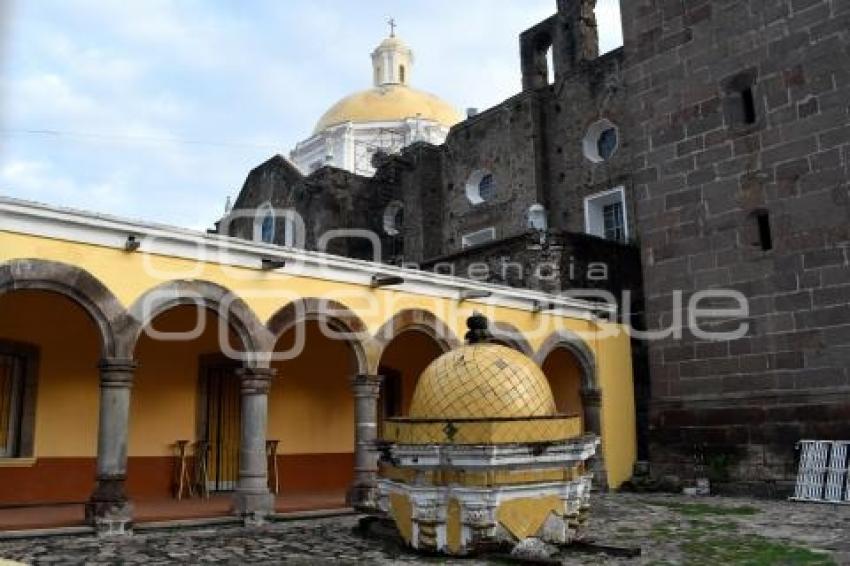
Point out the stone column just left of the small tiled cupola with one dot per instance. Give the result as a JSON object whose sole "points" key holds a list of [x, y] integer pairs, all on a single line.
{"points": [[362, 494]]}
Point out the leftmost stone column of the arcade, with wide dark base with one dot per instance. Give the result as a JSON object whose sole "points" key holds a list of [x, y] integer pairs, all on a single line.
{"points": [[108, 508]]}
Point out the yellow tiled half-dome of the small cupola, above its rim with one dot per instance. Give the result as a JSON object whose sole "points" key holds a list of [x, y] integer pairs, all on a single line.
{"points": [[482, 381]]}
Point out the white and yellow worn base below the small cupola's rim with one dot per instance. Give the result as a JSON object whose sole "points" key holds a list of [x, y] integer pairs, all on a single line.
{"points": [[500, 495]]}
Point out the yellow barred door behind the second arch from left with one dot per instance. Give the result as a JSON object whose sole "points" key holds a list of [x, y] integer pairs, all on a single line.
{"points": [[223, 410]]}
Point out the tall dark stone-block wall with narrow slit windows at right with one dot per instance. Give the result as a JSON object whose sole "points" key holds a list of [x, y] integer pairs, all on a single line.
{"points": [[705, 167]]}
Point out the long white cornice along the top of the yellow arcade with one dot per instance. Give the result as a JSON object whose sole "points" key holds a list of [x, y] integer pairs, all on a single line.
{"points": [[104, 230]]}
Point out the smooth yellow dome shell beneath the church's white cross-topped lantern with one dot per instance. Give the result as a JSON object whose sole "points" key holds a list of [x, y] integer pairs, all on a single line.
{"points": [[389, 103]]}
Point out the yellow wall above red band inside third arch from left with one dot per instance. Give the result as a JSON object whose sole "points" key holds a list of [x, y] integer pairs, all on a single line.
{"points": [[311, 406]]}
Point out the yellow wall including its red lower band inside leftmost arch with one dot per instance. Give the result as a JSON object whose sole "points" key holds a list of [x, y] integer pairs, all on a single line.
{"points": [[67, 399]]}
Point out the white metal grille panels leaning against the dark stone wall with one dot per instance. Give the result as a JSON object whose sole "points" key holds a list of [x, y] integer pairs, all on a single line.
{"points": [[824, 474]]}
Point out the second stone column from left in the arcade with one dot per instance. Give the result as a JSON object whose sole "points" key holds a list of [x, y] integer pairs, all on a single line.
{"points": [[252, 500]]}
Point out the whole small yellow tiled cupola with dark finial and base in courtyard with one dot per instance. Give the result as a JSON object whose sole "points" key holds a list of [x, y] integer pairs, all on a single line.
{"points": [[484, 457]]}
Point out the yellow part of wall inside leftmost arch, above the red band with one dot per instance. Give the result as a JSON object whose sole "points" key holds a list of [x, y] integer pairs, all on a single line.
{"points": [[66, 413]]}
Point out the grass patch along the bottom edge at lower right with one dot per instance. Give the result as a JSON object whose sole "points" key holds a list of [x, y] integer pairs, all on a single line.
{"points": [[751, 551]]}
